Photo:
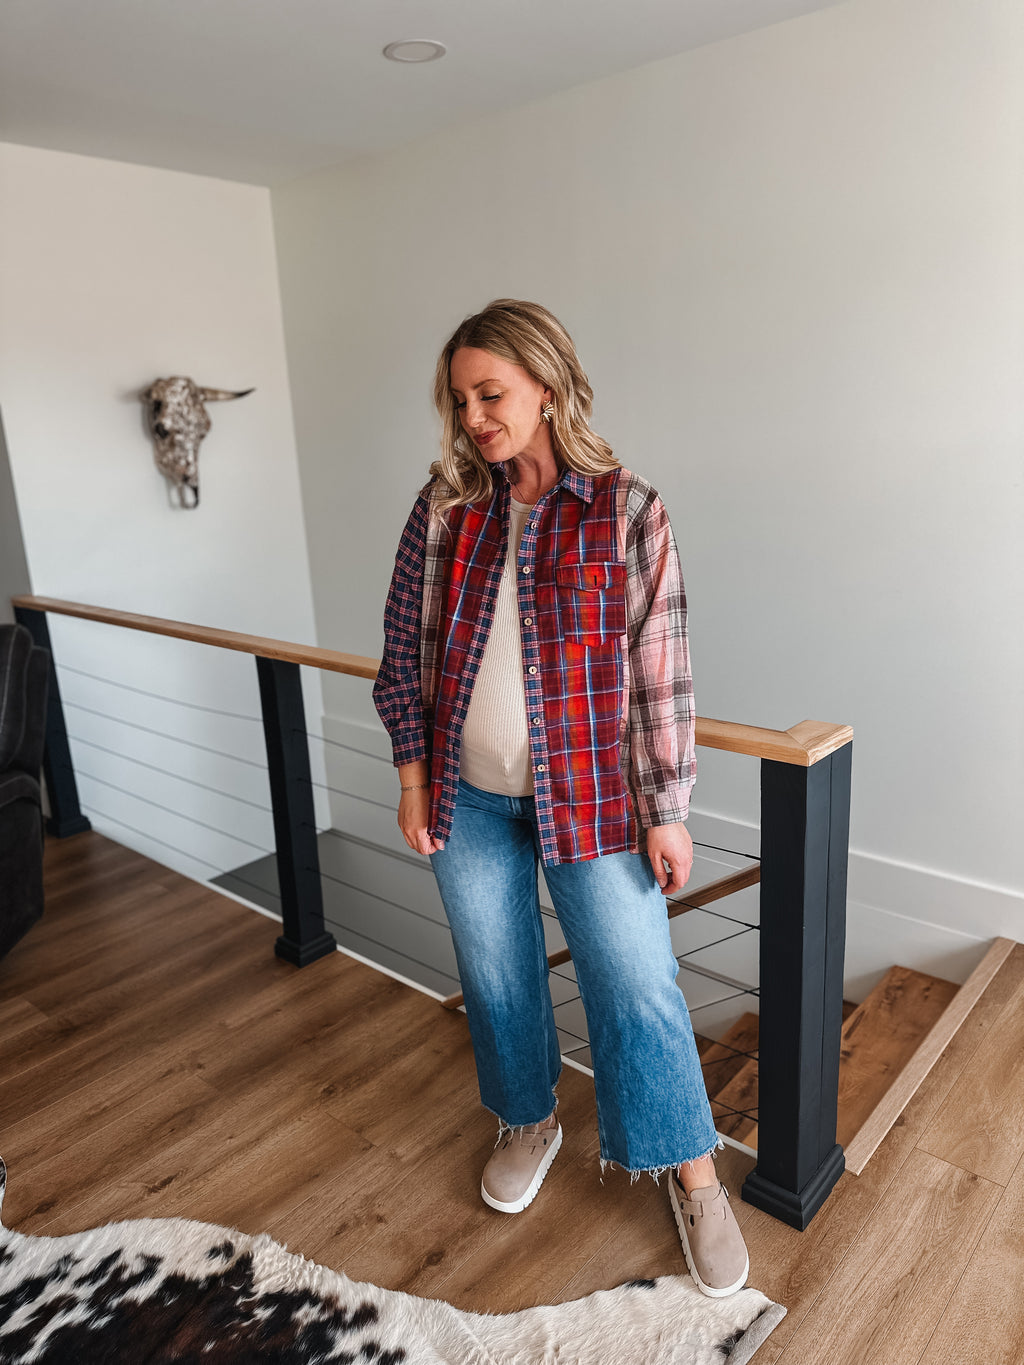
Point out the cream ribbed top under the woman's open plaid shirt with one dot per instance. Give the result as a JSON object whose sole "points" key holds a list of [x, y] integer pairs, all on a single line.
{"points": [[496, 736]]}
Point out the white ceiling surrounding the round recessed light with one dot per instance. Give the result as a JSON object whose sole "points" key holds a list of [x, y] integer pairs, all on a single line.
{"points": [[266, 91]]}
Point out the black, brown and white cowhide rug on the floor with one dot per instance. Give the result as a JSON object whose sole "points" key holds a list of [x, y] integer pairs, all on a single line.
{"points": [[156, 1291]]}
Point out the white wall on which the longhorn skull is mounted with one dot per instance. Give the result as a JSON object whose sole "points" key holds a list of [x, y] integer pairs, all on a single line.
{"points": [[111, 276]]}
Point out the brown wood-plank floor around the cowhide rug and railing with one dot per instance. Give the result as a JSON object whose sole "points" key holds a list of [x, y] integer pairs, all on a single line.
{"points": [[158, 1060]]}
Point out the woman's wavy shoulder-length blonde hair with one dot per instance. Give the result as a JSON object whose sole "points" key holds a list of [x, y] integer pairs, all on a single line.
{"points": [[530, 336]]}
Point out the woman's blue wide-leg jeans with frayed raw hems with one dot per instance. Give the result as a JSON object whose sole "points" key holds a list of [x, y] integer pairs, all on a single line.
{"points": [[653, 1109]]}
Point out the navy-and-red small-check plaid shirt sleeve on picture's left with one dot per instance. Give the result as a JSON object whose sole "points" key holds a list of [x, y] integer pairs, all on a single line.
{"points": [[398, 694]]}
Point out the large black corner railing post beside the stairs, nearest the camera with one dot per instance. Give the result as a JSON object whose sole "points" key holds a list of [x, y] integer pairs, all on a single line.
{"points": [[805, 839]]}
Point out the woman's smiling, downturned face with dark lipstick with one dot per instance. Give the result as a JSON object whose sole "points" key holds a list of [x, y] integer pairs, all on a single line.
{"points": [[499, 406]]}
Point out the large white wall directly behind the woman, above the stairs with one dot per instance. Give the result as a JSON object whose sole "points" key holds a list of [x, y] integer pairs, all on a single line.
{"points": [[793, 265]]}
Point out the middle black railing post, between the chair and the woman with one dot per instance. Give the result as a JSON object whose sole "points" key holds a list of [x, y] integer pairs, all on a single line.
{"points": [[296, 827]]}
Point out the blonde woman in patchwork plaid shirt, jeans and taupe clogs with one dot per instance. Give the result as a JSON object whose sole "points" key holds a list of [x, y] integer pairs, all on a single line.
{"points": [[536, 686]]}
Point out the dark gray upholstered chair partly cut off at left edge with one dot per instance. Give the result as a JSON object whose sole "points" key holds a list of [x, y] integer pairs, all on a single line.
{"points": [[24, 674]]}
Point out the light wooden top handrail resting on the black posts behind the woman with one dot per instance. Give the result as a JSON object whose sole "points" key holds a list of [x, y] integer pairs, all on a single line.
{"points": [[803, 745]]}
